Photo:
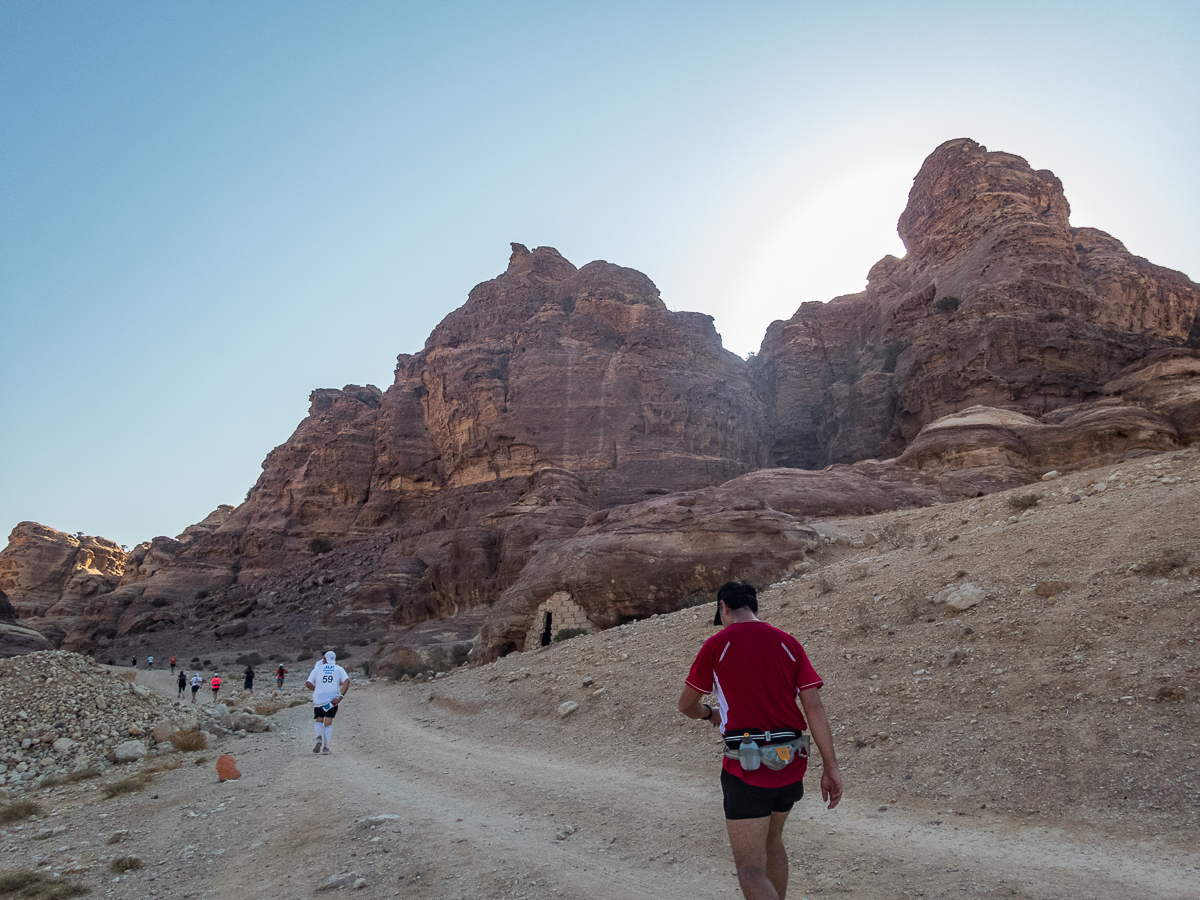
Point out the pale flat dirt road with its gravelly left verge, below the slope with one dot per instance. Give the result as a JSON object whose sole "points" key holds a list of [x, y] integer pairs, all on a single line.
{"points": [[485, 814]]}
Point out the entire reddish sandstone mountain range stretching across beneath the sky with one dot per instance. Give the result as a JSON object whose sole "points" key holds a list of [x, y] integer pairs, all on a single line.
{"points": [[566, 446]]}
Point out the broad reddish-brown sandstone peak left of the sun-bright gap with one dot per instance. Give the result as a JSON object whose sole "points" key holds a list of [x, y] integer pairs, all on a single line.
{"points": [[551, 393]]}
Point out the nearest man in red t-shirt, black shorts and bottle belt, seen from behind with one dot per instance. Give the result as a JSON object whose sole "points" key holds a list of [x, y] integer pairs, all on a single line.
{"points": [[758, 673]]}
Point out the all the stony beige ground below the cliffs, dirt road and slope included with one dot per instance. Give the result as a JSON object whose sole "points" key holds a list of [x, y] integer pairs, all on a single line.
{"points": [[1013, 694]]}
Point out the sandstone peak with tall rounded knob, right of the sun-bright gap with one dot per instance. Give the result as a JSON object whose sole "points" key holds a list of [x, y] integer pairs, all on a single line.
{"points": [[999, 303]]}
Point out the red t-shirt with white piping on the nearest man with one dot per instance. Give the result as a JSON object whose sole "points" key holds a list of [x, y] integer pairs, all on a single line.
{"points": [[757, 671]]}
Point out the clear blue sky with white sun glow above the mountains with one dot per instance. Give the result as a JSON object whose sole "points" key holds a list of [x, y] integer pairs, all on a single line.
{"points": [[209, 211]]}
